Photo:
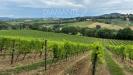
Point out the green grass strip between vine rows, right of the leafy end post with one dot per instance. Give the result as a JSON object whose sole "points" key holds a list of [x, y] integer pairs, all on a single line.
{"points": [[113, 67]]}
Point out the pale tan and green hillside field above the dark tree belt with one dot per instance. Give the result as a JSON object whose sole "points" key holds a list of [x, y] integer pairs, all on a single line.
{"points": [[90, 24]]}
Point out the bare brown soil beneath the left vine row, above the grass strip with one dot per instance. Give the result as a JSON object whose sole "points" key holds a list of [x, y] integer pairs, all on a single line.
{"points": [[29, 59]]}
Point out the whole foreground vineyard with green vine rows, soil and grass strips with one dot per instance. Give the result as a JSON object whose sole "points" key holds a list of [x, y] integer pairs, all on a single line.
{"points": [[30, 52]]}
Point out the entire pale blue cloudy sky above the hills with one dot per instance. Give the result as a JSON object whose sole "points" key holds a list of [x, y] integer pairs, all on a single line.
{"points": [[62, 8]]}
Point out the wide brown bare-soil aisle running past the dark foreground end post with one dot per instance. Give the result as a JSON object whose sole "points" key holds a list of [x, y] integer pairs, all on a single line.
{"points": [[80, 65]]}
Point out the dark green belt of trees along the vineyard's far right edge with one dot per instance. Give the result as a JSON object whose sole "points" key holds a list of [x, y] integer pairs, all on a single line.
{"points": [[124, 34]]}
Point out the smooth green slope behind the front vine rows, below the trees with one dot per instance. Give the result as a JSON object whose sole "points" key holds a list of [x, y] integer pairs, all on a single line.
{"points": [[32, 34]]}
